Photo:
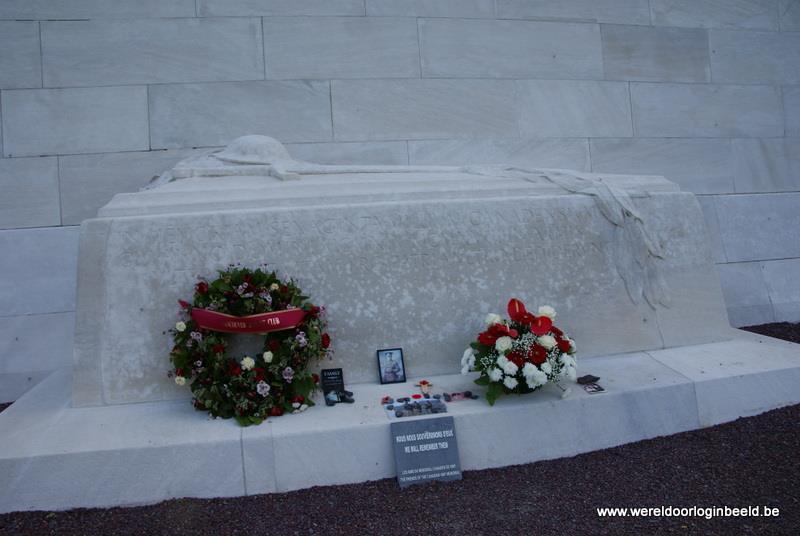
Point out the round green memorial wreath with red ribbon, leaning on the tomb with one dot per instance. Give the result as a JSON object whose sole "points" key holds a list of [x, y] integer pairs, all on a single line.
{"points": [[249, 388]]}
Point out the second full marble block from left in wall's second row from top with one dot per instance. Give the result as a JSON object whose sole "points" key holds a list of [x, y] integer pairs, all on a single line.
{"points": [[341, 47]]}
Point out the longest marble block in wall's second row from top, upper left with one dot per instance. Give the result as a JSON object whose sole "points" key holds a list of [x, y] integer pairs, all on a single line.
{"points": [[89, 53]]}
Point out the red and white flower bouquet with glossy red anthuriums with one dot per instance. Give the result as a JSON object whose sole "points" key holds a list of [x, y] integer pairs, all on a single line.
{"points": [[520, 355]]}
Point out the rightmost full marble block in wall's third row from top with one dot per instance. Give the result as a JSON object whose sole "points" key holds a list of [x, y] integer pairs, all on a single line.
{"points": [[705, 111]]}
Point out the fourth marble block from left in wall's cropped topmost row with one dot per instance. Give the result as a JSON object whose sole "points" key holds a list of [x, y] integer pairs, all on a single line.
{"points": [[620, 11]]}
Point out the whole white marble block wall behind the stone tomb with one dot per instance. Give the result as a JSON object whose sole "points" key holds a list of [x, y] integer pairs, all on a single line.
{"points": [[97, 96]]}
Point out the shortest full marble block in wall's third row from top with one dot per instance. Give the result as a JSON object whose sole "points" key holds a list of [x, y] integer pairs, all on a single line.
{"points": [[573, 108]]}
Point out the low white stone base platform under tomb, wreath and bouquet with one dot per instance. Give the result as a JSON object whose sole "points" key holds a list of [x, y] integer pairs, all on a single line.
{"points": [[53, 456]]}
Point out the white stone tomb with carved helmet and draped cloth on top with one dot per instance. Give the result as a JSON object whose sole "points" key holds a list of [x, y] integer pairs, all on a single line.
{"points": [[400, 256]]}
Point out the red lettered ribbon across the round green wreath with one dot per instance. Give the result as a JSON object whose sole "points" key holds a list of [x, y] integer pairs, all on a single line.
{"points": [[260, 323]]}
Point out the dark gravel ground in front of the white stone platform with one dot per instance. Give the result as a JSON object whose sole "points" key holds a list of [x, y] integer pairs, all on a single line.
{"points": [[749, 462]]}
